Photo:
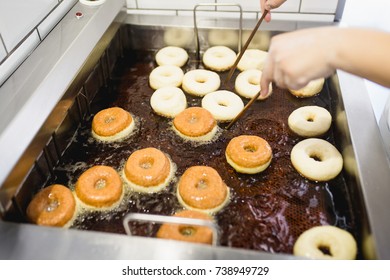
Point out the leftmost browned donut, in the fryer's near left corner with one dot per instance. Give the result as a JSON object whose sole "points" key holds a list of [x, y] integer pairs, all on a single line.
{"points": [[54, 206]]}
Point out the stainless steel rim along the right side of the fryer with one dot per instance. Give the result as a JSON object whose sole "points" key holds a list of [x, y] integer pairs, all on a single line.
{"points": [[369, 163]]}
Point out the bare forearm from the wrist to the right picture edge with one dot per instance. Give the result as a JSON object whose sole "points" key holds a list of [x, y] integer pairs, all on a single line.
{"points": [[363, 52]]}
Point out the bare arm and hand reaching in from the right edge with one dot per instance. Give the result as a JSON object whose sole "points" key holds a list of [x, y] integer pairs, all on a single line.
{"points": [[296, 58]]}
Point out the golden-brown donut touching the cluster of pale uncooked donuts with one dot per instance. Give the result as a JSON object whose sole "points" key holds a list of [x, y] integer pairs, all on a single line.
{"points": [[195, 124]]}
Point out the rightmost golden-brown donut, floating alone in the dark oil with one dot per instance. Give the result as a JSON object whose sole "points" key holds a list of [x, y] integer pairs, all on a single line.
{"points": [[248, 154]]}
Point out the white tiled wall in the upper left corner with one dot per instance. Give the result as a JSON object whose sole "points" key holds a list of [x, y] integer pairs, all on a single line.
{"points": [[23, 24]]}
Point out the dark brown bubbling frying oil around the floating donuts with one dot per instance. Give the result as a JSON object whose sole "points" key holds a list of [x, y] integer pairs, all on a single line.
{"points": [[267, 211]]}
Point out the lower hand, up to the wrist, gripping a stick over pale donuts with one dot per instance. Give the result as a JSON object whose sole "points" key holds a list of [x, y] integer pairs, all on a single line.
{"points": [[296, 58]]}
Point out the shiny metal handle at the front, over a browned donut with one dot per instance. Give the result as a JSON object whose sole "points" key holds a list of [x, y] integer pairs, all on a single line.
{"points": [[170, 220]]}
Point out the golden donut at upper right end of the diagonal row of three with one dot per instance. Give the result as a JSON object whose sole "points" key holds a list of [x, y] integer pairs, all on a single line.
{"points": [[148, 170]]}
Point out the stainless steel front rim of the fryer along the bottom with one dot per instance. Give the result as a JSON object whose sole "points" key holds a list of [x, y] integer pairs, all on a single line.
{"points": [[20, 241]]}
